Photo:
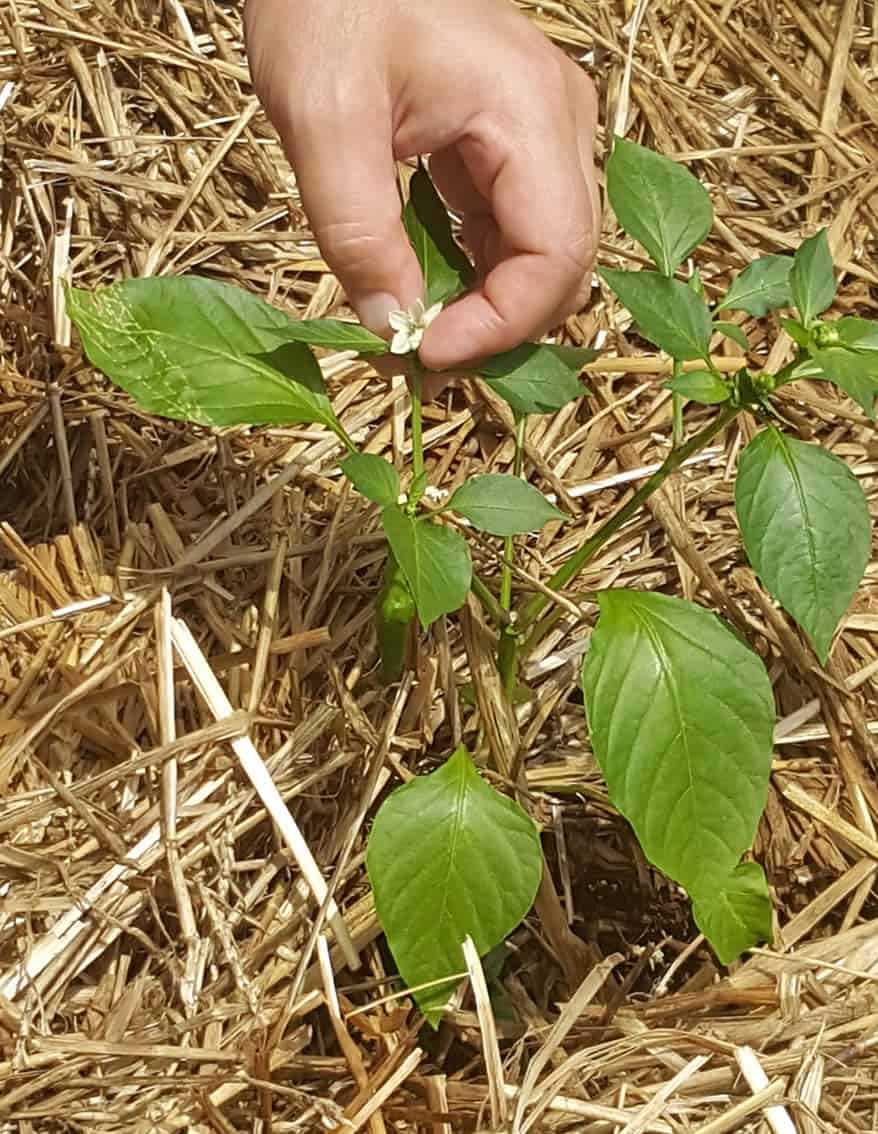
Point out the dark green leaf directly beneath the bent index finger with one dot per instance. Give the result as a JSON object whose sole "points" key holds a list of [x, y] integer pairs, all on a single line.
{"points": [[537, 378]]}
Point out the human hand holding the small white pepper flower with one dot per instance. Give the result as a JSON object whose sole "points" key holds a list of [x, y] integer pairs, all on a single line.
{"points": [[509, 121]]}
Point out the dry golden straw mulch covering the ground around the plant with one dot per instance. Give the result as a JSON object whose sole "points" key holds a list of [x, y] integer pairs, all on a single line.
{"points": [[162, 966]]}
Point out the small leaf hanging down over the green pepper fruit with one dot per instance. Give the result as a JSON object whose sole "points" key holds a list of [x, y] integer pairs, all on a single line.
{"points": [[435, 561]]}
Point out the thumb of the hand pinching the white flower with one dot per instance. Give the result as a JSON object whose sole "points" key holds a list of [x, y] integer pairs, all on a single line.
{"points": [[347, 177]]}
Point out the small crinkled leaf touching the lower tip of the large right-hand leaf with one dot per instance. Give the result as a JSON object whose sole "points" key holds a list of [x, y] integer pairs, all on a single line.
{"points": [[737, 916]]}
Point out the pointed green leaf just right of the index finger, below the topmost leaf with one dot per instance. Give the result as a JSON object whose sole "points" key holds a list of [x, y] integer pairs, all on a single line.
{"points": [[666, 312]]}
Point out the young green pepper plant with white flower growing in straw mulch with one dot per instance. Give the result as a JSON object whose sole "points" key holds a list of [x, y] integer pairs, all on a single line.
{"points": [[680, 709]]}
